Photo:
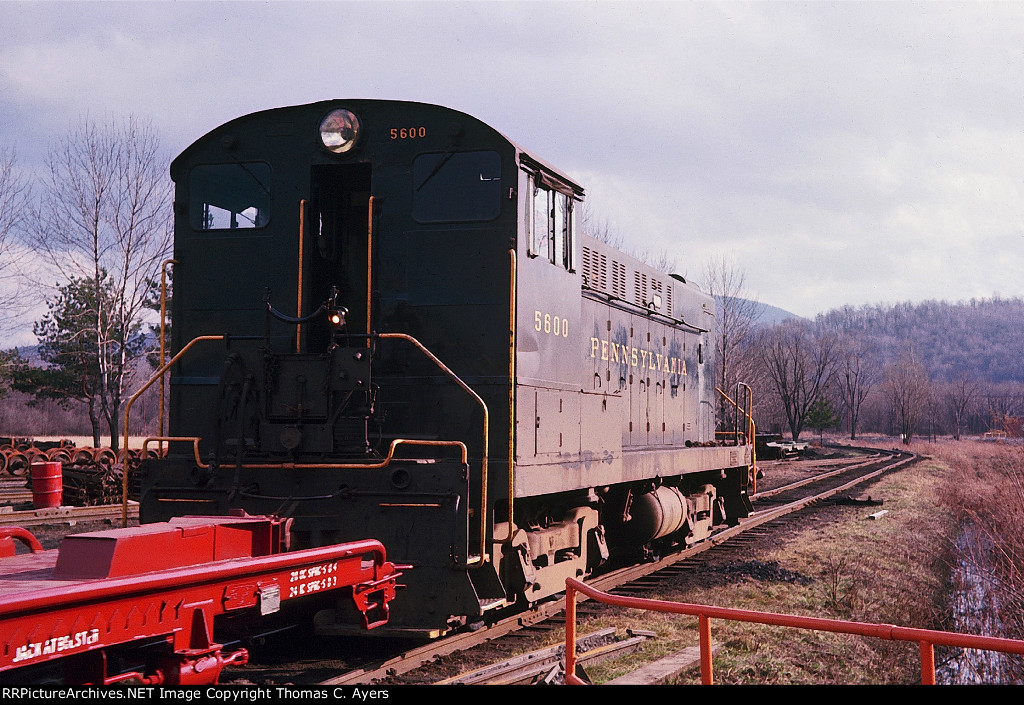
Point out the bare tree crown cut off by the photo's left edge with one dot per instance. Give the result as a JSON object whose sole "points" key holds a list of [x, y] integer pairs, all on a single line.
{"points": [[14, 203]]}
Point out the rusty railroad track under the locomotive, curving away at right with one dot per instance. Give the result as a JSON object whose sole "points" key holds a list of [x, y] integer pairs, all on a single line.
{"points": [[826, 480]]}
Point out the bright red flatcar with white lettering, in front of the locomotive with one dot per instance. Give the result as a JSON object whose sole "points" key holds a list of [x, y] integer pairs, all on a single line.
{"points": [[76, 614]]}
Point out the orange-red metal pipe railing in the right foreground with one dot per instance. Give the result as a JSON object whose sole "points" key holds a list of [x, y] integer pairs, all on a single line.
{"points": [[927, 639]]}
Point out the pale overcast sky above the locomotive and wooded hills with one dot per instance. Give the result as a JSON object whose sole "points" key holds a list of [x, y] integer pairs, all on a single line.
{"points": [[838, 154]]}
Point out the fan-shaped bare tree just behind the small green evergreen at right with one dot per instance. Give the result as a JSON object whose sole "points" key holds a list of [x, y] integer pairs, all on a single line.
{"points": [[801, 364]]}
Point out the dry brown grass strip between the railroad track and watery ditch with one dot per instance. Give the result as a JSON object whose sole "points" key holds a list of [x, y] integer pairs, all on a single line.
{"points": [[843, 566]]}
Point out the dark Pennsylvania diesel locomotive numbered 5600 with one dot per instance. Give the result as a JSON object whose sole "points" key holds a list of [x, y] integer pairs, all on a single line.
{"points": [[389, 324]]}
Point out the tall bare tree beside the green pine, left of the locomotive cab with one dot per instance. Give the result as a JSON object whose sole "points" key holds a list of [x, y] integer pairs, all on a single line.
{"points": [[104, 218]]}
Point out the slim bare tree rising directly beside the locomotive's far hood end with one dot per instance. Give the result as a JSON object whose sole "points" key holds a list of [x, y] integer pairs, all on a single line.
{"points": [[736, 321]]}
